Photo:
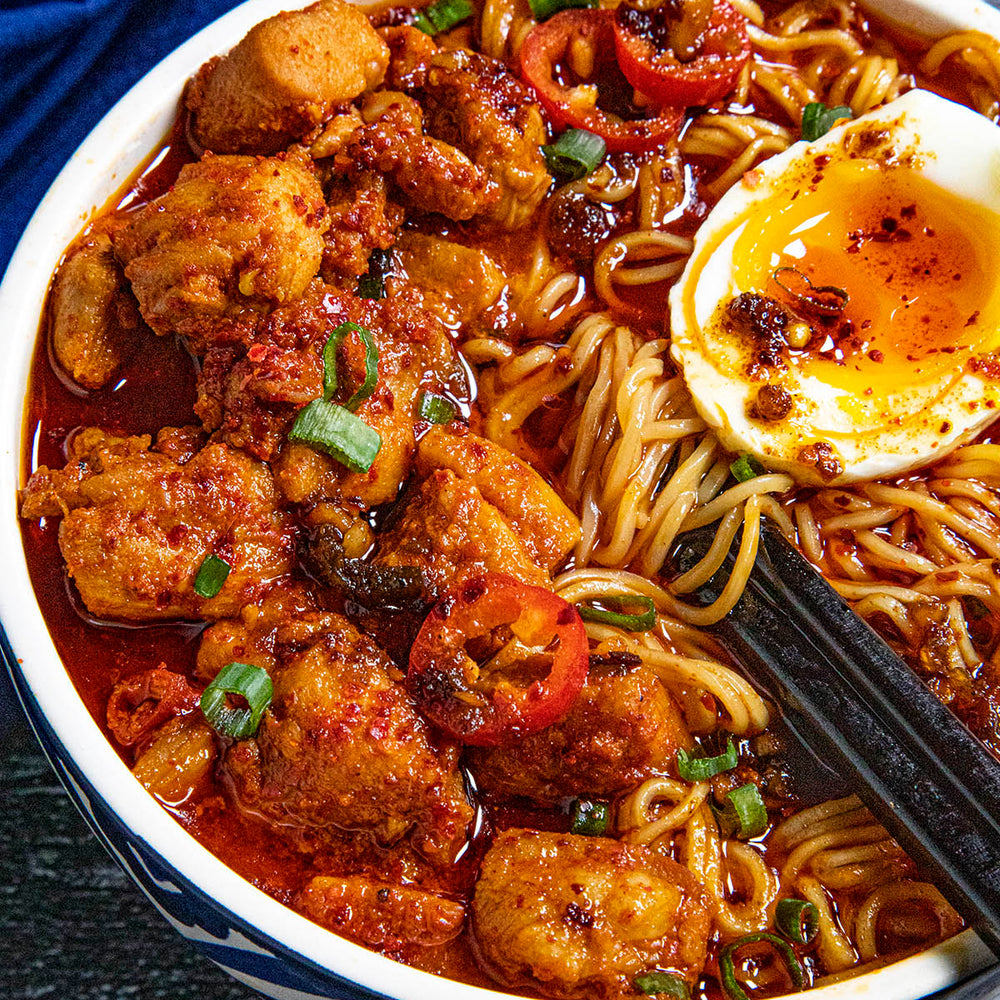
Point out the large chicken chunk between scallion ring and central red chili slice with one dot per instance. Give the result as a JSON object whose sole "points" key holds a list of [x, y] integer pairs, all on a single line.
{"points": [[342, 748]]}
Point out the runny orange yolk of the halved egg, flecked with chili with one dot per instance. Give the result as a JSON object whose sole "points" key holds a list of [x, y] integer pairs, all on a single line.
{"points": [[917, 263]]}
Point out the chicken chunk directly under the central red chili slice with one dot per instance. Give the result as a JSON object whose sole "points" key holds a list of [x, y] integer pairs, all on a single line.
{"points": [[623, 728]]}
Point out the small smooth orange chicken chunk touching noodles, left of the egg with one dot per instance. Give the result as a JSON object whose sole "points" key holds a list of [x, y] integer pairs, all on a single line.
{"points": [[458, 284]]}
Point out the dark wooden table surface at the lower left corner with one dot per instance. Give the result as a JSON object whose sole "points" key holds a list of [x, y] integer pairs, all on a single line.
{"points": [[72, 925]]}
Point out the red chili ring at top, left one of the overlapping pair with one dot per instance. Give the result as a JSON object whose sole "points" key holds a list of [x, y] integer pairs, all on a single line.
{"points": [[601, 104]]}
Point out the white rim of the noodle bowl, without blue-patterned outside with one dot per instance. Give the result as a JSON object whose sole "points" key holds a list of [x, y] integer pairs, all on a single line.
{"points": [[119, 143]]}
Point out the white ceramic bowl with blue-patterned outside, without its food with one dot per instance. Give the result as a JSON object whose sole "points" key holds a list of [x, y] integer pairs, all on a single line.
{"points": [[256, 939]]}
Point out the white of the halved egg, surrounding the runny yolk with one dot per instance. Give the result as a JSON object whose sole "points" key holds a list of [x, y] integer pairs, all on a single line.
{"points": [[919, 415]]}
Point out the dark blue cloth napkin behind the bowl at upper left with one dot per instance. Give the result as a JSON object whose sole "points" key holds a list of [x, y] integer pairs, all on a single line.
{"points": [[63, 64]]}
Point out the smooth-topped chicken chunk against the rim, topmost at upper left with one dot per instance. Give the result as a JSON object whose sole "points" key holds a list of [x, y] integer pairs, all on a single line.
{"points": [[288, 75]]}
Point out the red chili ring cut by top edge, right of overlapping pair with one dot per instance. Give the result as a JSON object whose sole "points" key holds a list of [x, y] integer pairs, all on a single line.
{"points": [[645, 57]]}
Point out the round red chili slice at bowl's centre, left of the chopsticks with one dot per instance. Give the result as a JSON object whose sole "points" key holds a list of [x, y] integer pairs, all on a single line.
{"points": [[497, 659]]}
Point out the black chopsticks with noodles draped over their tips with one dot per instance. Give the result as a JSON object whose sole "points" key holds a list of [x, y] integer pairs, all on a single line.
{"points": [[849, 697]]}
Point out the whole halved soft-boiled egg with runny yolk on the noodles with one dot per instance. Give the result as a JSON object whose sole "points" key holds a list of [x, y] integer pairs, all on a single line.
{"points": [[839, 316]]}
